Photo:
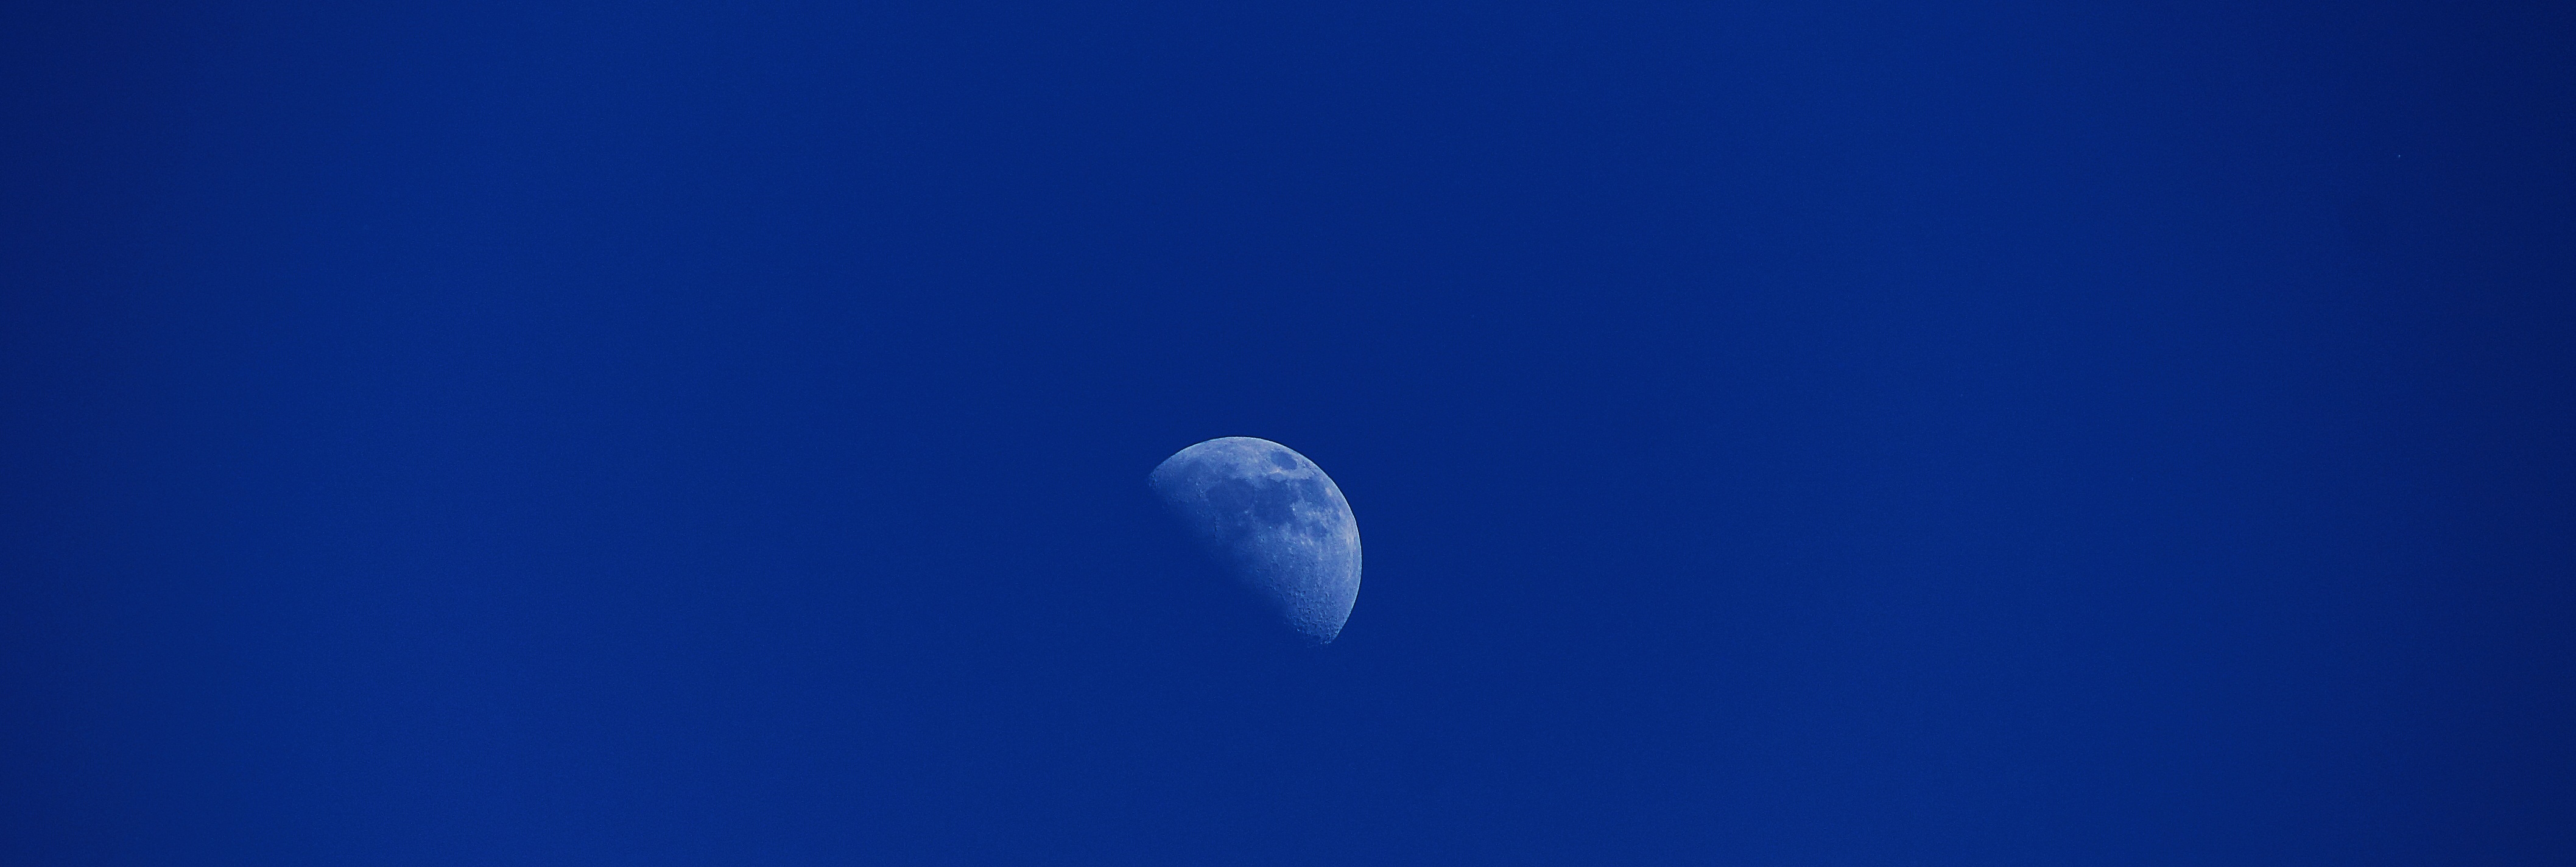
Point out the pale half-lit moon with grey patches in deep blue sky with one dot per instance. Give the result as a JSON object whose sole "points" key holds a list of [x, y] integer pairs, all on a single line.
{"points": [[1276, 521]]}
